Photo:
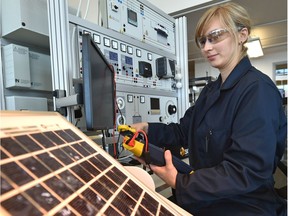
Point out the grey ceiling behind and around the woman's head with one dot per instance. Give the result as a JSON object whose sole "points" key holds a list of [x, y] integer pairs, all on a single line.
{"points": [[269, 22]]}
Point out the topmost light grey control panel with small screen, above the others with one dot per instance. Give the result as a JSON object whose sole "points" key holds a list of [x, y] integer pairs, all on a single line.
{"points": [[141, 21]]}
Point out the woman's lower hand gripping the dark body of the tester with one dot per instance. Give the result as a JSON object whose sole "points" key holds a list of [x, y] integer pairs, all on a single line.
{"points": [[168, 172]]}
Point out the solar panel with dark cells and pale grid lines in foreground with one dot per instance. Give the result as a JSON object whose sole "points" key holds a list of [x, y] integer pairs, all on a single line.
{"points": [[49, 167]]}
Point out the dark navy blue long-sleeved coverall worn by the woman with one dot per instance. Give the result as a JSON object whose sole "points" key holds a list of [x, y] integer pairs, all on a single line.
{"points": [[236, 134]]}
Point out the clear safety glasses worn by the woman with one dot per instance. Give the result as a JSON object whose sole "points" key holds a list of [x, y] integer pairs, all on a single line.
{"points": [[213, 37]]}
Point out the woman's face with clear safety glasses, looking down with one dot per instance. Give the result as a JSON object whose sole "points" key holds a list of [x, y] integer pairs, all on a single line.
{"points": [[219, 47]]}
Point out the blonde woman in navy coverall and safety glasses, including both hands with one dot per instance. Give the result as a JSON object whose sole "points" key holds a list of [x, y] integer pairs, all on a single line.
{"points": [[235, 133]]}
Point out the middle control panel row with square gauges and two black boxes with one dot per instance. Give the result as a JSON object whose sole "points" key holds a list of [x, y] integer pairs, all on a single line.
{"points": [[134, 66]]}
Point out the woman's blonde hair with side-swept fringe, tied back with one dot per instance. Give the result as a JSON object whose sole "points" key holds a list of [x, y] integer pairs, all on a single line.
{"points": [[233, 16]]}
